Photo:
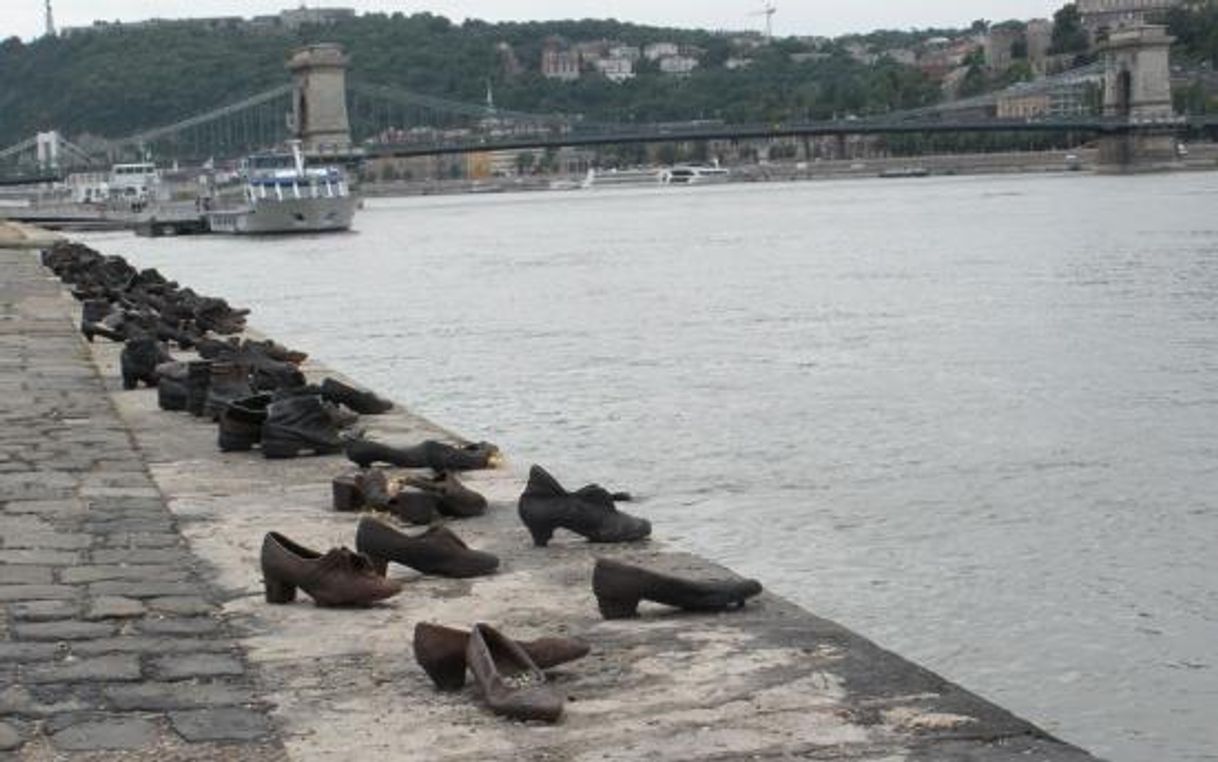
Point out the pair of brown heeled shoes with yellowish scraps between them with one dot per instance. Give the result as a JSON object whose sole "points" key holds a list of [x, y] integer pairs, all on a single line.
{"points": [[415, 498]]}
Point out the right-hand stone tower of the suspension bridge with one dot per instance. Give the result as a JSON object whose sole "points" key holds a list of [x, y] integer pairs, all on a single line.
{"points": [[1138, 88]]}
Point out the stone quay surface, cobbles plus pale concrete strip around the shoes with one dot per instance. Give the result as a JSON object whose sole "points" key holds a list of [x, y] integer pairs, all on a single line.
{"points": [[135, 624]]}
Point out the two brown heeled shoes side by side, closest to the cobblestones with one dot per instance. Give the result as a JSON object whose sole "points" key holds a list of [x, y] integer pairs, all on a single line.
{"points": [[342, 578]]}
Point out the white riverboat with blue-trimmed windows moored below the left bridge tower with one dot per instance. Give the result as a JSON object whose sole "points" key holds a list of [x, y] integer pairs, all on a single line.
{"points": [[277, 193]]}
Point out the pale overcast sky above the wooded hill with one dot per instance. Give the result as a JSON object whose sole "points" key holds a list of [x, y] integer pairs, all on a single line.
{"points": [[829, 18]]}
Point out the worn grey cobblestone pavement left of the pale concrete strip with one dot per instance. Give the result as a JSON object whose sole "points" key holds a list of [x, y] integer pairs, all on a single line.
{"points": [[111, 645]]}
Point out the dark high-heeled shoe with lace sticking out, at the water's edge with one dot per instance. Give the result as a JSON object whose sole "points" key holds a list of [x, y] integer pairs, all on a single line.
{"points": [[545, 507]]}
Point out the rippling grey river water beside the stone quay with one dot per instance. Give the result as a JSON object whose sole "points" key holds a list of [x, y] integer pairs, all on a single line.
{"points": [[975, 419]]}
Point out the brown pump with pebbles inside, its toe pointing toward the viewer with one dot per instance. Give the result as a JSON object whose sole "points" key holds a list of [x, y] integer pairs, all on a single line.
{"points": [[509, 680]]}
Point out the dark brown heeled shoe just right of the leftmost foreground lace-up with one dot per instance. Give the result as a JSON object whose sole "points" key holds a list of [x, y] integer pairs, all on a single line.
{"points": [[437, 552]]}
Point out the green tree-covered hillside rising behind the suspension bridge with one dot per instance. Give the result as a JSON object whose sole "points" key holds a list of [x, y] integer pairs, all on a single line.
{"points": [[120, 81]]}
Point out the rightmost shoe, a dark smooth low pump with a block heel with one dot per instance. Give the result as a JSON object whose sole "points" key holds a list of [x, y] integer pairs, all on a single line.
{"points": [[619, 587]]}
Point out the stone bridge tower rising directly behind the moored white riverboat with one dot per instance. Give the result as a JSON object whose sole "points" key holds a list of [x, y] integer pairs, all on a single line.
{"points": [[320, 99]]}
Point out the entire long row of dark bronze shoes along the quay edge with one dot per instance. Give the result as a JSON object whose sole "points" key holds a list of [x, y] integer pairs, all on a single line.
{"points": [[261, 401]]}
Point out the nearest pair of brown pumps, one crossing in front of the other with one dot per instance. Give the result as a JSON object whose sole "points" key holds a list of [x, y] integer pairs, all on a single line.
{"points": [[509, 674]]}
